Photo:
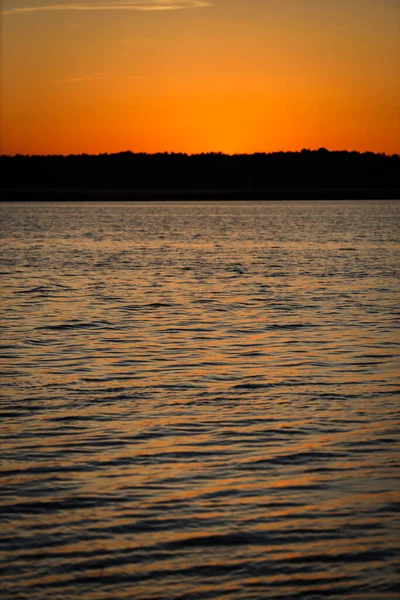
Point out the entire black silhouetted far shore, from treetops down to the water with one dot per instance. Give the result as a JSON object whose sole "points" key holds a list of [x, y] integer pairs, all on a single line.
{"points": [[305, 175]]}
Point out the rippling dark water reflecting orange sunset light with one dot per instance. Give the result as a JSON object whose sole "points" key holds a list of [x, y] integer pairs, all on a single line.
{"points": [[200, 400]]}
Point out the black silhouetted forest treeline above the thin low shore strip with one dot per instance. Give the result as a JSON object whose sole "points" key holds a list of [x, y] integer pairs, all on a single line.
{"points": [[305, 170]]}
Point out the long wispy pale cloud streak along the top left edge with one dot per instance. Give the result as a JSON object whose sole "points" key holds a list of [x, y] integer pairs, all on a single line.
{"points": [[87, 5]]}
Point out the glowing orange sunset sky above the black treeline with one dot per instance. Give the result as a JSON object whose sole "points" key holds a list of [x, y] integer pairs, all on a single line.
{"points": [[233, 76]]}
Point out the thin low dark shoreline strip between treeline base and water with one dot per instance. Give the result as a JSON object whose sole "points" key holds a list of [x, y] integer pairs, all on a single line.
{"points": [[57, 194]]}
